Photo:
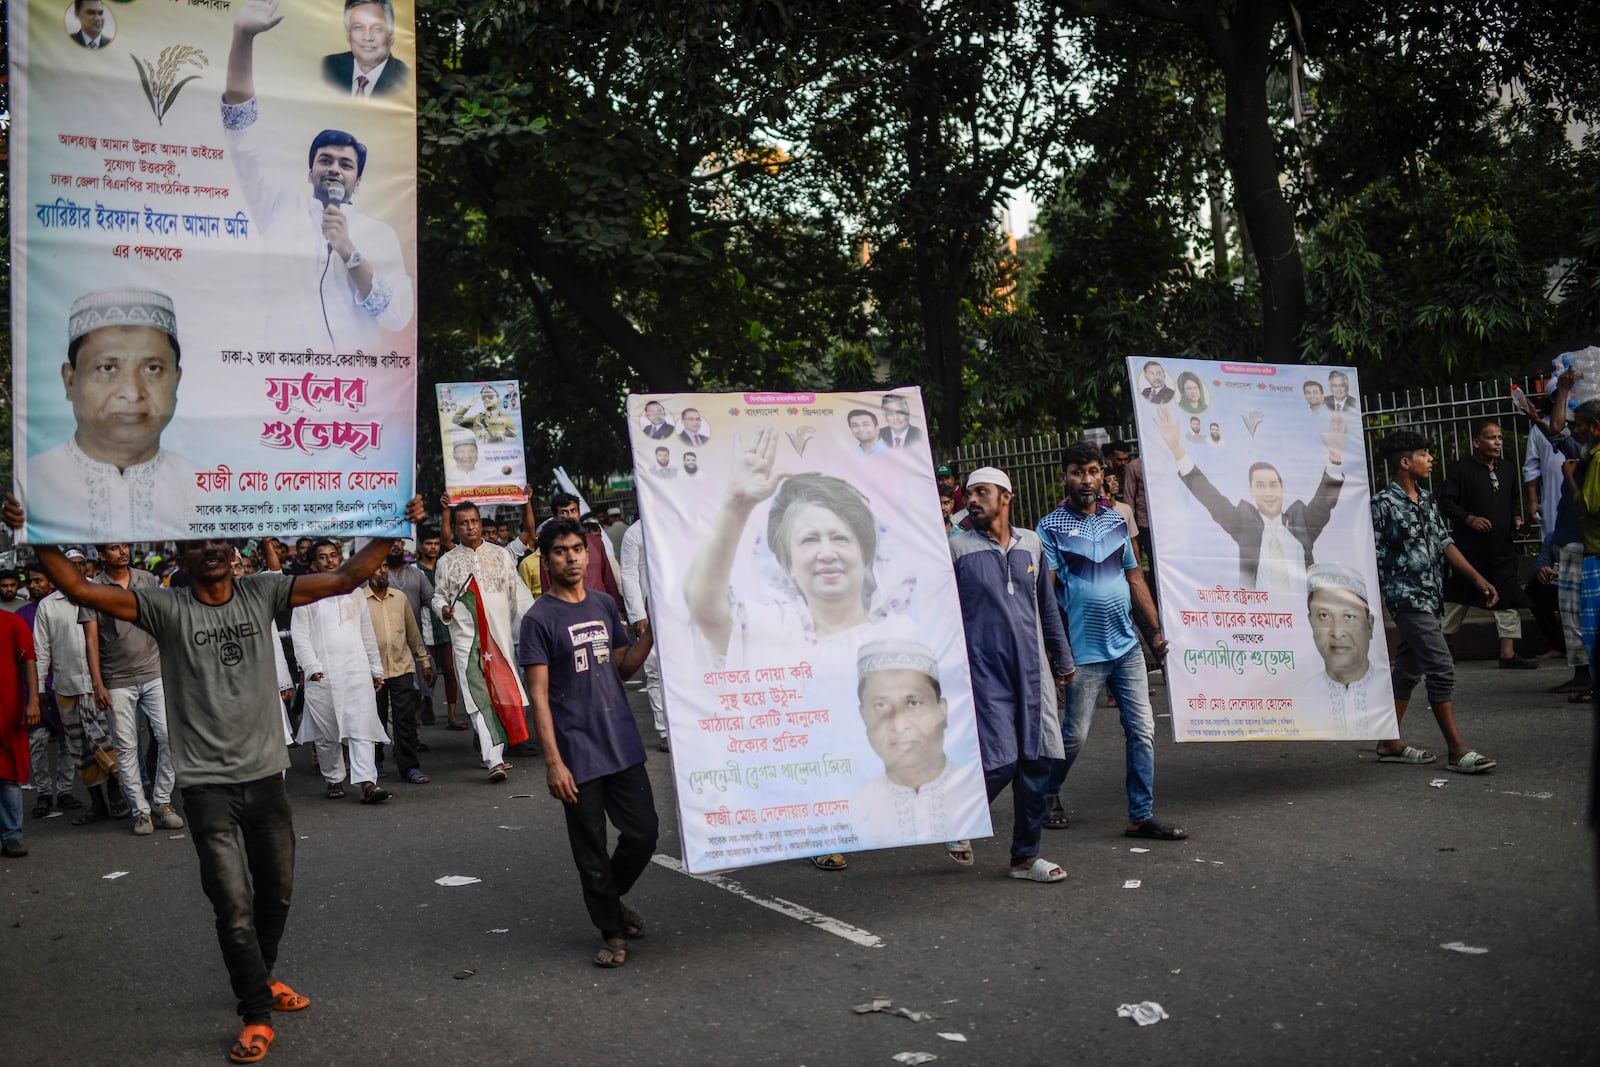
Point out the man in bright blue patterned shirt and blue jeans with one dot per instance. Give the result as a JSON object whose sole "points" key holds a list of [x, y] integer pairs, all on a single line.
{"points": [[1098, 581]]}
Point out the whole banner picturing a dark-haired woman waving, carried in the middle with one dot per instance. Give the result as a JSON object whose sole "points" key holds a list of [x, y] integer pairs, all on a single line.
{"points": [[804, 605]]}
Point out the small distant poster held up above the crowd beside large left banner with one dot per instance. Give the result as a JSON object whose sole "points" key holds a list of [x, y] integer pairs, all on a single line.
{"points": [[481, 428]]}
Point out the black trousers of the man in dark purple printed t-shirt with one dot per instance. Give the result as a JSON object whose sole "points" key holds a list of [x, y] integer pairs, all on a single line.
{"points": [[626, 799]]}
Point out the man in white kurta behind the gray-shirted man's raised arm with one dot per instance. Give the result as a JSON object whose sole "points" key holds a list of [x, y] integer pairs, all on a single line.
{"points": [[337, 649]]}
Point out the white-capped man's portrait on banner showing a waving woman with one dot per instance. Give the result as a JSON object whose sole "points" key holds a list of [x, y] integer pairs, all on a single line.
{"points": [[922, 794]]}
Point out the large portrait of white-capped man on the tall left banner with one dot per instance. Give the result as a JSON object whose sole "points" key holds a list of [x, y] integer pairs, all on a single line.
{"points": [[113, 481]]}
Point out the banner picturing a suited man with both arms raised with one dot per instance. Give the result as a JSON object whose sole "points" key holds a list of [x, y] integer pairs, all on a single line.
{"points": [[1262, 524]]}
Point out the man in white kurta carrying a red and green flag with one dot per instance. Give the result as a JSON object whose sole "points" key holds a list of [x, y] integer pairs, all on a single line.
{"points": [[505, 599]]}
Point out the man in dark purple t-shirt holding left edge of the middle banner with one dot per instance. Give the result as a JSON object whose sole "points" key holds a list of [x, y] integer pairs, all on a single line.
{"points": [[575, 657]]}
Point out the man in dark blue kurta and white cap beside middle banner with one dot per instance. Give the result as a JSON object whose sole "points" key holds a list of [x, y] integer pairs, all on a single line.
{"points": [[1020, 657]]}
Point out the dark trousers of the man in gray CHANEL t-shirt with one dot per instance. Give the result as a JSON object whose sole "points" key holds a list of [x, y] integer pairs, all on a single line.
{"points": [[244, 836]]}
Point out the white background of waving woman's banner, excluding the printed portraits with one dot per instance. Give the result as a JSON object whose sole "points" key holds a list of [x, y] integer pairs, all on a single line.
{"points": [[769, 746]]}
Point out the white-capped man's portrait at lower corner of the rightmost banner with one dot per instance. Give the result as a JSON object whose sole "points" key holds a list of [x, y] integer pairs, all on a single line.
{"points": [[1345, 700]]}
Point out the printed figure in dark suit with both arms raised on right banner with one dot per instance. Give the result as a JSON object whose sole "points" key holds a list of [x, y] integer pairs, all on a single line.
{"points": [[1276, 543]]}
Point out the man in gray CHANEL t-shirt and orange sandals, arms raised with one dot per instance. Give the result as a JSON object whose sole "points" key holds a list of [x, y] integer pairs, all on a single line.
{"points": [[228, 740]]}
